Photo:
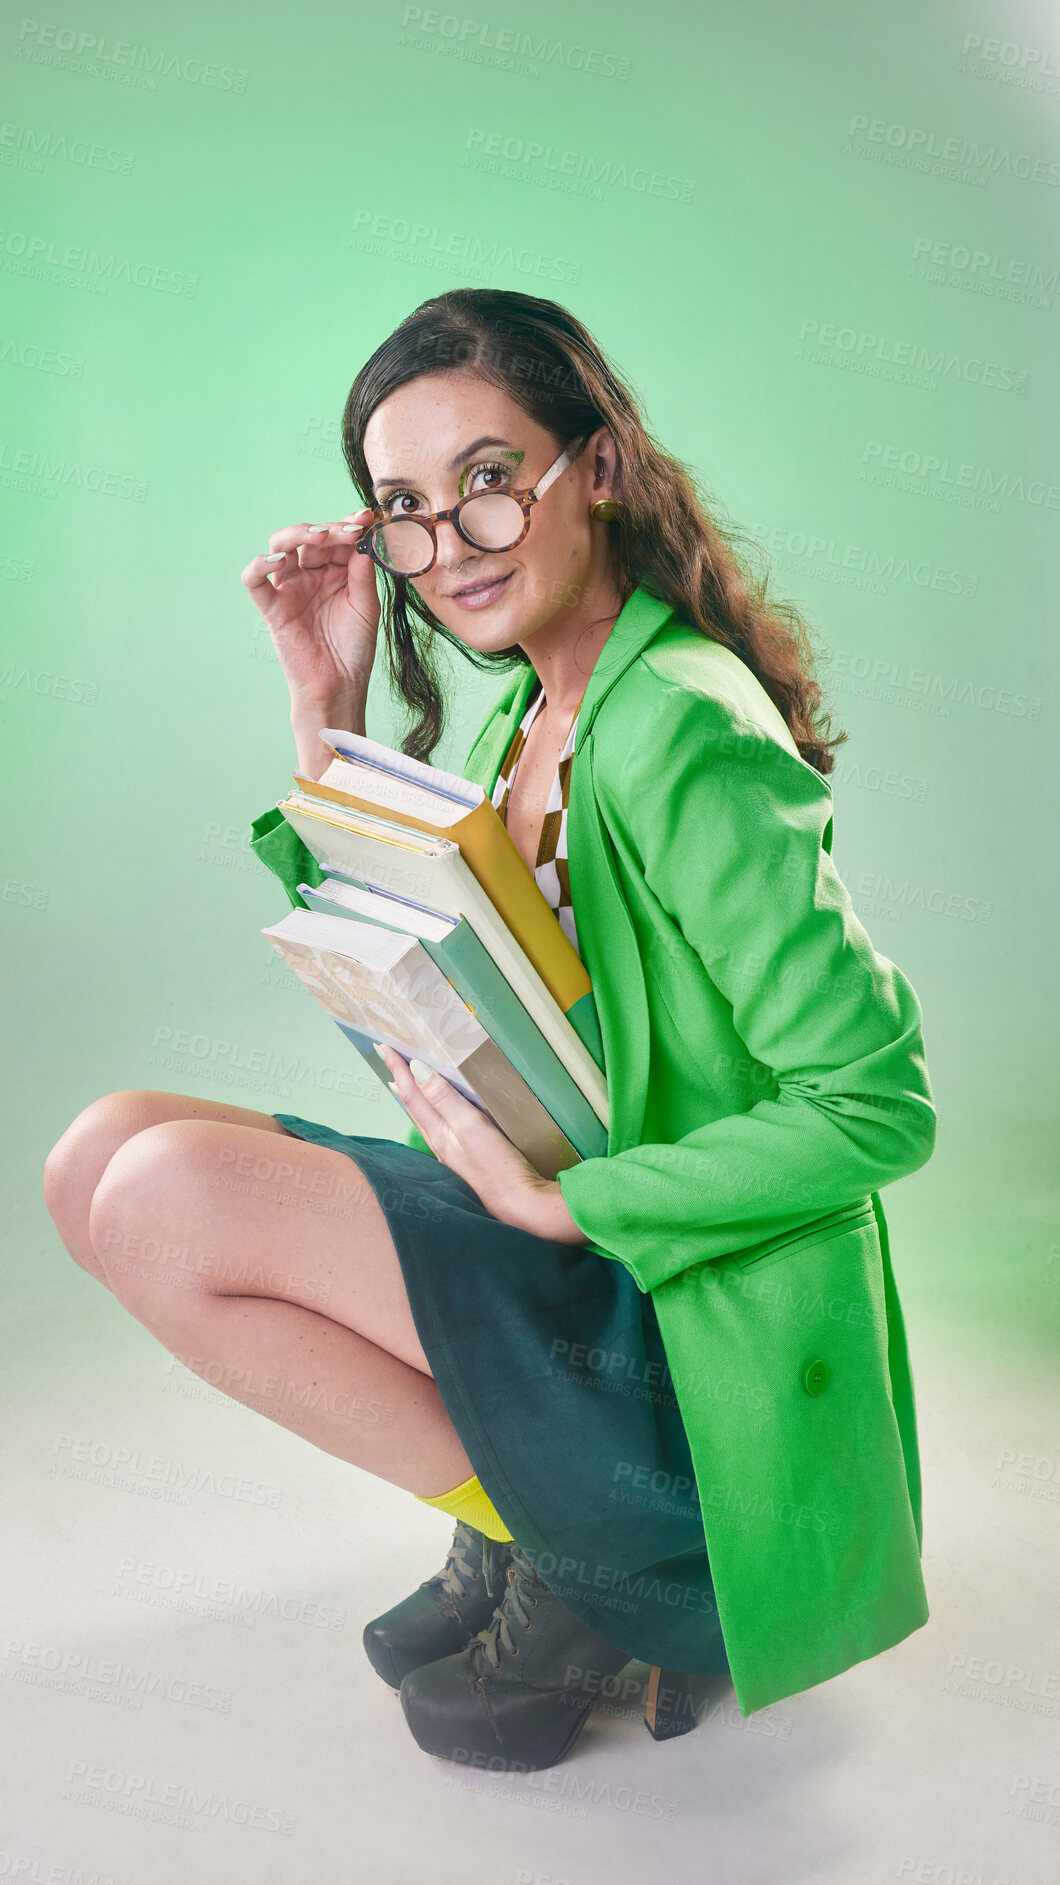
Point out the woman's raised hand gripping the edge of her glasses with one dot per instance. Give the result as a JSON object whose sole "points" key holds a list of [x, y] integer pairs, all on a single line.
{"points": [[322, 608]]}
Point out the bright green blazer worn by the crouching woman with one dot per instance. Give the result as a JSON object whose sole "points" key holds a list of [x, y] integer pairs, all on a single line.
{"points": [[767, 1077]]}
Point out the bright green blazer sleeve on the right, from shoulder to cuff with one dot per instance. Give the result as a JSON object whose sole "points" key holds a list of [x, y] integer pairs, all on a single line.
{"points": [[737, 855]]}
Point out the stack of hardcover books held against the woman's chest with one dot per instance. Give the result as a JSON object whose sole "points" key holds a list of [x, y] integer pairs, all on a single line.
{"points": [[431, 934]]}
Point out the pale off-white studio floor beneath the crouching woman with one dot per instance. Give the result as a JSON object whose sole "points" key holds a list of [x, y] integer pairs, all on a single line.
{"points": [[188, 1696]]}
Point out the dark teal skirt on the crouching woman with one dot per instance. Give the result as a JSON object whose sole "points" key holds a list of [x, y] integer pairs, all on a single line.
{"points": [[552, 1368]]}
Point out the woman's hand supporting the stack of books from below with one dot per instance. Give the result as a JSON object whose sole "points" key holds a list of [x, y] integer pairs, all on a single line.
{"points": [[467, 1141]]}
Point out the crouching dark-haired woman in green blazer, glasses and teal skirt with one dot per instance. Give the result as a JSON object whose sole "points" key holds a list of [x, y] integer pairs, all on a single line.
{"points": [[697, 1337]]}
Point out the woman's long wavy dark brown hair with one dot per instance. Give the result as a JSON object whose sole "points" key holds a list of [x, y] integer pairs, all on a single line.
{"points": [[665, 538]]}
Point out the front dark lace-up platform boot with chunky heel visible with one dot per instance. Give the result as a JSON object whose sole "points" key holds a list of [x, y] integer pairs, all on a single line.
{"points": [[522, 1692]]}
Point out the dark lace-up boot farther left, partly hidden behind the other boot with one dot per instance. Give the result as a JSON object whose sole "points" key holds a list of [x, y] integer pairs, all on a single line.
{"points": [[444, 1613]]}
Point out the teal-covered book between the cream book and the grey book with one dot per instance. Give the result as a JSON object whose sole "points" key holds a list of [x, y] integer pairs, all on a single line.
{"points": [[469, 966]]}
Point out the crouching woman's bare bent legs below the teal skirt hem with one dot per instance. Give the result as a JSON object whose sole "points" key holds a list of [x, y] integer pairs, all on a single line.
{"points": [[267, 1266]]}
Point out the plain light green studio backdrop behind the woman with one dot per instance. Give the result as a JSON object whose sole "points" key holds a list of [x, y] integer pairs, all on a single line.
{"points": [[214, 220]]}
